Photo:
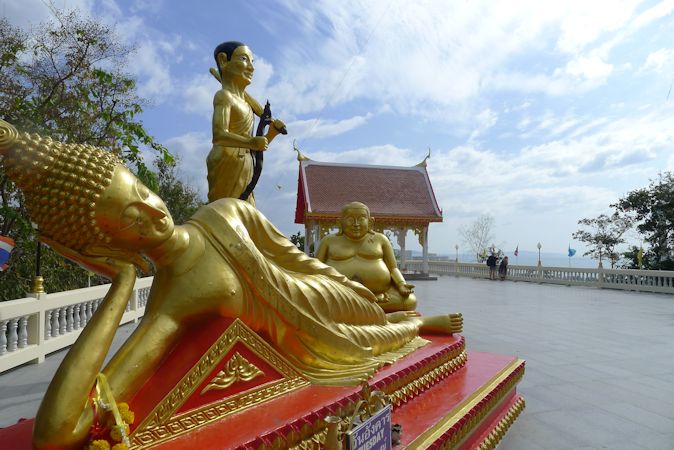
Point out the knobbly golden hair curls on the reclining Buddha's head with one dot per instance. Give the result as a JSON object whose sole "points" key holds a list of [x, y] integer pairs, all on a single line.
{"points": [[61, 184]]}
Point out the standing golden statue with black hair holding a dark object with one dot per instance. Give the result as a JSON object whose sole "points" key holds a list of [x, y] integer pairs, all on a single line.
{"points": [[230, 163]]}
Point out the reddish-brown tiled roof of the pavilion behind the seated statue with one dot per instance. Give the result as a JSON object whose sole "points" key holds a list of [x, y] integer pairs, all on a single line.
{"points": [[392, 193]]}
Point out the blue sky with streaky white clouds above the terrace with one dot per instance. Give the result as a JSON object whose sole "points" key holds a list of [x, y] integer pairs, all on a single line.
{"points": [[537, 112]]}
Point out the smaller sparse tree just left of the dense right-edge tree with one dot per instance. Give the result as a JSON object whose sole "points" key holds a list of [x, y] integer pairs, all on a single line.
{"points": [[604, 234]]}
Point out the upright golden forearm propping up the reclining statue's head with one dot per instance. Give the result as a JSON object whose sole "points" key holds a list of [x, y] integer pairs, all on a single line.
{"points": [[65, 415]]}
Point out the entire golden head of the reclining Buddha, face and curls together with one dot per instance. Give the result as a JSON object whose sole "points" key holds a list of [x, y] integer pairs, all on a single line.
{"points": [[82, 196]]}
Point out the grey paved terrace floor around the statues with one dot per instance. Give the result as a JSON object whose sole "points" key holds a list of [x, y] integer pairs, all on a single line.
{"points": [[600, 363]]}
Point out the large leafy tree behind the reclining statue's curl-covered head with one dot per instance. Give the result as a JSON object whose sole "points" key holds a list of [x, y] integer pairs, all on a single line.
{"points": [[64, 79]]}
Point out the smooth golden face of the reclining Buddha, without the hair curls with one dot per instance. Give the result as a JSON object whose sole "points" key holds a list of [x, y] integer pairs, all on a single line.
{"points": [[131, 214]]}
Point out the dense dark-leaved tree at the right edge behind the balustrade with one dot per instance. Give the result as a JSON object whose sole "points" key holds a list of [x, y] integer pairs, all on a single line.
{"points": [[652, 208]]}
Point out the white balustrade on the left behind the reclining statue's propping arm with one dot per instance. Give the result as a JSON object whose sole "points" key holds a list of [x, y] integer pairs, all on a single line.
{"points": [[32, 328]]}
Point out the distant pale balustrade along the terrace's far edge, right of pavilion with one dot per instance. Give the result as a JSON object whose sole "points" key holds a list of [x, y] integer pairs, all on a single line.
{"points": [[625, 279]]}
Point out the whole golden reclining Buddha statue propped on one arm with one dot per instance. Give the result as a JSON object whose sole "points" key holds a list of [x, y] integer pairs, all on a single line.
{"points": [[227, 261]]}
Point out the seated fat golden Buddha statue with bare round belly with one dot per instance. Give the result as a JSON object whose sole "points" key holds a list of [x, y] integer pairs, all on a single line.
{"points": [[366, 256]]}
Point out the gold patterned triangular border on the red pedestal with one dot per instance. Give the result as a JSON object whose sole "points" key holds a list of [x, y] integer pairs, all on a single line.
{"points": [[162, 425]]}
